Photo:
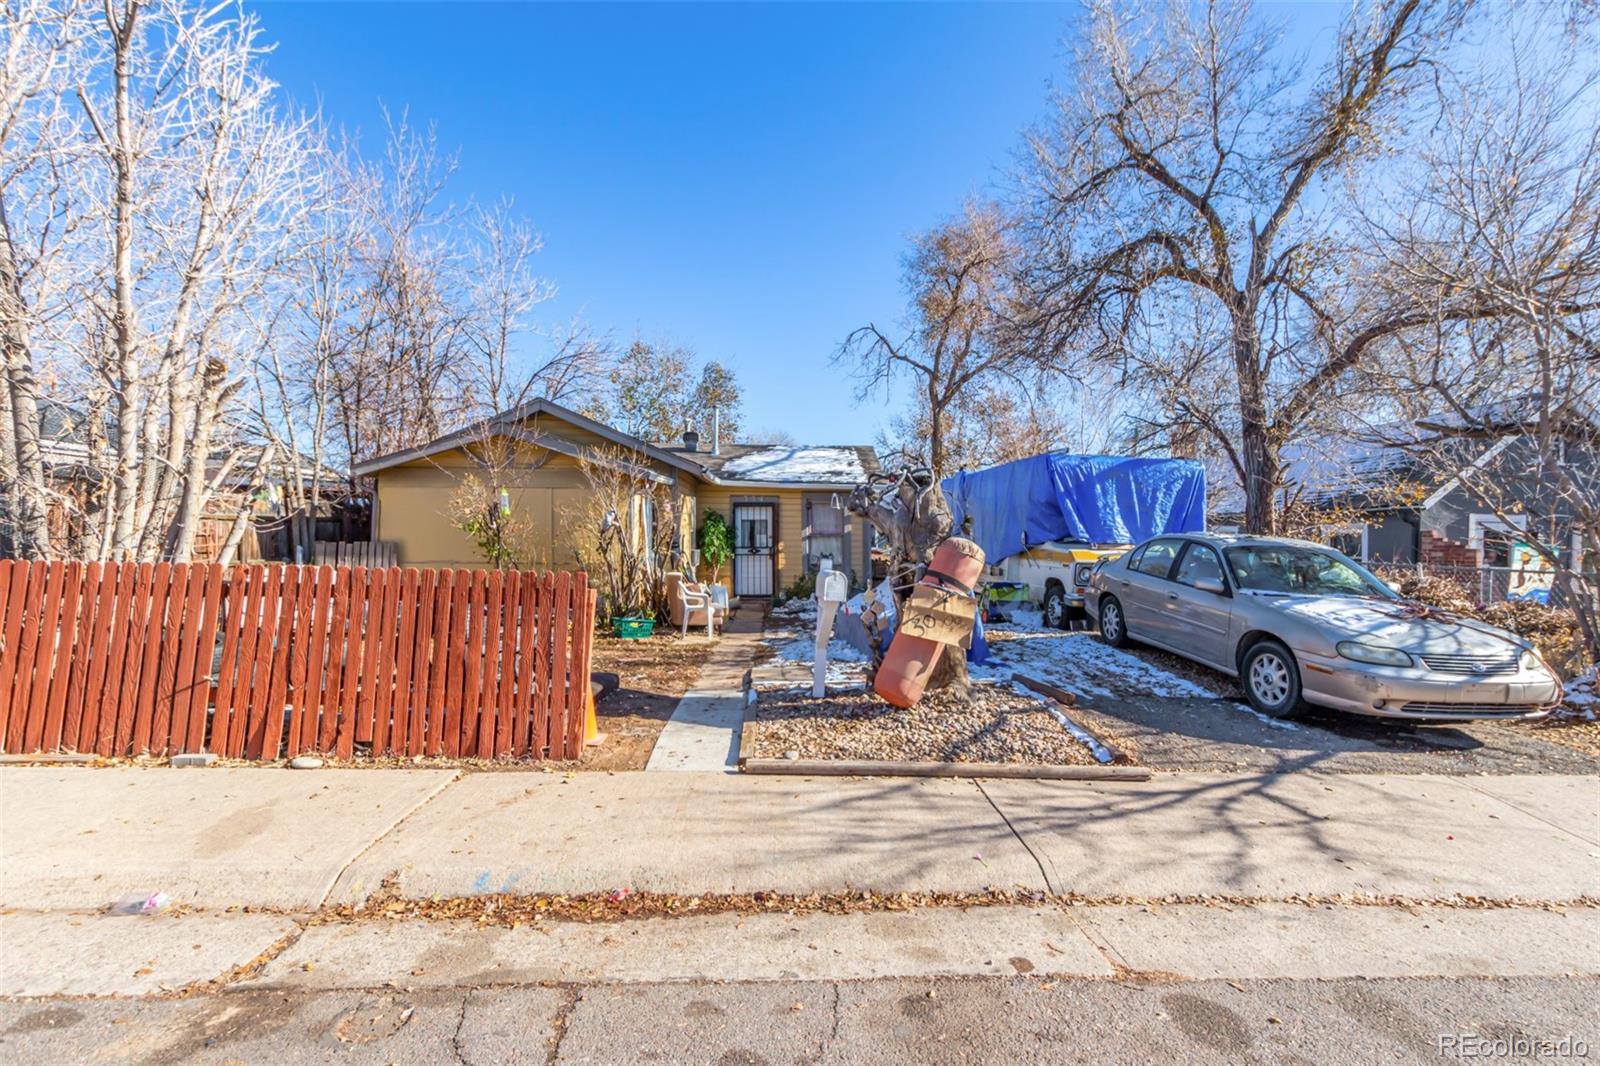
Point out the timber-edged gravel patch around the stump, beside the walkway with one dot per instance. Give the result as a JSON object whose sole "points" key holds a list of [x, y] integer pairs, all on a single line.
{"points": [[994, 724]]}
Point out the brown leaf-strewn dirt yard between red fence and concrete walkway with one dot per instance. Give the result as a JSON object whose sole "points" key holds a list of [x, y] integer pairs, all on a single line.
{"points": [[652, 675]]}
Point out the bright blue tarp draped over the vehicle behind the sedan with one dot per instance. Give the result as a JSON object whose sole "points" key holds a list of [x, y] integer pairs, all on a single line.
{"points": [[1095, 499]]}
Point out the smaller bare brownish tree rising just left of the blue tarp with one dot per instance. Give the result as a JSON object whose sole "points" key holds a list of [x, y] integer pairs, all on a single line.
{"points": [[959, 278]]}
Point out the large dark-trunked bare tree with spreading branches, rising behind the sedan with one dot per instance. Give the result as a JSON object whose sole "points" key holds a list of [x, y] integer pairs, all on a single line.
{"points": [[1188, 166]]}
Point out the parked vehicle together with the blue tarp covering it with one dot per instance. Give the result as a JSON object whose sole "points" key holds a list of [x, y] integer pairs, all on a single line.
{"points": [[1047, 521]]}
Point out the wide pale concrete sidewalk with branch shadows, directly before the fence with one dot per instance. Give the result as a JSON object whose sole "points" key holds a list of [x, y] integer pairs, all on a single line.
{"points": [[81, 838]]}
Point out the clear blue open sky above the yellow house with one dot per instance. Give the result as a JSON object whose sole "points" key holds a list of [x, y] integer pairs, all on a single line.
{"points": [[740, 180]]}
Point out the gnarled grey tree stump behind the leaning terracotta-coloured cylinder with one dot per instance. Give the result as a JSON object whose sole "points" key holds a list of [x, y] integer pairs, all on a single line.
{"points": [[910, 511]]}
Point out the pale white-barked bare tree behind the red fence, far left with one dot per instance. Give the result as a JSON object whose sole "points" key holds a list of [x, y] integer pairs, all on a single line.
{"points": [[150, 212]]}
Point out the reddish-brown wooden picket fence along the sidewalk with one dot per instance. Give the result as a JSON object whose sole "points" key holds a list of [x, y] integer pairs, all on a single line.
{"points": [[266, 662]]}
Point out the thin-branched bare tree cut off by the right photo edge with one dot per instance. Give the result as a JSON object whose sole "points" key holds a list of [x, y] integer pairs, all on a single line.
{"points": [[1503, 210]]}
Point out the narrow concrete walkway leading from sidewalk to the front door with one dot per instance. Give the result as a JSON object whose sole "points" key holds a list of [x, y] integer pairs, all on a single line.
{"points": [[705, 729]]}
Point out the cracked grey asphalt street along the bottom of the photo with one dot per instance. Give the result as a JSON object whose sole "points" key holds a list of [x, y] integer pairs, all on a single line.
{"points": [[929, 1022]]}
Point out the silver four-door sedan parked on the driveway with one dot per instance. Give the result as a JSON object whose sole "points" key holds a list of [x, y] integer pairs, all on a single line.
{"points": [[1302, 623]]}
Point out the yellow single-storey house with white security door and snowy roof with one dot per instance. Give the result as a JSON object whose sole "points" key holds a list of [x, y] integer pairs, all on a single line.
{"points": [[785, 505]]}
